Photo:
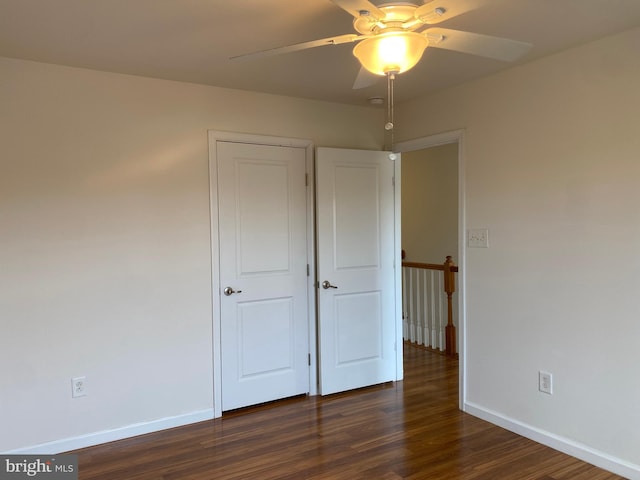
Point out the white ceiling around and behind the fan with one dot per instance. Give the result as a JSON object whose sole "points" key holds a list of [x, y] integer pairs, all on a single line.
{"points": [[192, 40]]}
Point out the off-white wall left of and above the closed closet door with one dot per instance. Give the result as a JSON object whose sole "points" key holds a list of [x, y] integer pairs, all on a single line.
{"points": [[105, 267]]}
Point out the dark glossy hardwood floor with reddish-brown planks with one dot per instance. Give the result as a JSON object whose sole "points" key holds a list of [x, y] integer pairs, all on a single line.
{"points": [[410, 429]]}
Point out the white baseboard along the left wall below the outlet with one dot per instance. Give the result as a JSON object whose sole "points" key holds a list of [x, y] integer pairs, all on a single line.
{"points": [[104, 436]]}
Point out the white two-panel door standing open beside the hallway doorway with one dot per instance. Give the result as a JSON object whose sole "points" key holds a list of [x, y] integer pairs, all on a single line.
{"points": [[356, 289]]}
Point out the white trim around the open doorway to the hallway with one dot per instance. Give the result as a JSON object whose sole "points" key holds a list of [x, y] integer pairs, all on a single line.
{"points": [[454, 136]]}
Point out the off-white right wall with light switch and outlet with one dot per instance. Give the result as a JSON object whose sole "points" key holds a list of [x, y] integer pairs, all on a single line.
{"points": [[552, 169]]}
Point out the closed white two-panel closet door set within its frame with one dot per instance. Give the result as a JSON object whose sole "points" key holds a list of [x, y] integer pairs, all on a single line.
{"points": [[263, 269]]}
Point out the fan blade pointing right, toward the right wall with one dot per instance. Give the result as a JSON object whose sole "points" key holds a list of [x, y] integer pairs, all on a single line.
{"points": [[476, 44]]}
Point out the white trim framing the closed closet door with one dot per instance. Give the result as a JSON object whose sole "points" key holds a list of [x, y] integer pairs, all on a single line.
{"points": [[219, 136]]}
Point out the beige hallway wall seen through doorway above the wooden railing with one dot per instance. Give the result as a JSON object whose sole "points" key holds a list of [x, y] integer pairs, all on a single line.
{"points": [[430, 203]]}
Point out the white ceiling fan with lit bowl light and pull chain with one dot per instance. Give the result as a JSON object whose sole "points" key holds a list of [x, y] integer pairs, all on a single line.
{"points": [[392, 37]]}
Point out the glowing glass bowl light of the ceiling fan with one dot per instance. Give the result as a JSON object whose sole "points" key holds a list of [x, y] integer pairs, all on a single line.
{"points": [[391, 52]]}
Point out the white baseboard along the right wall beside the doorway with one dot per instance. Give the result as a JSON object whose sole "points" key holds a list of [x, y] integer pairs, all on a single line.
{"points": [[564, 445]]}
